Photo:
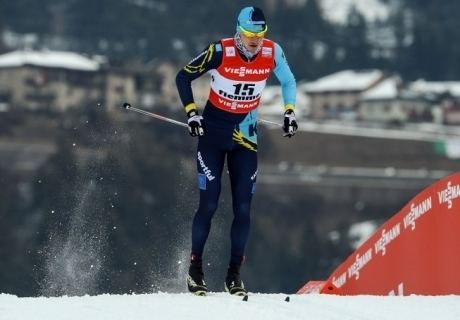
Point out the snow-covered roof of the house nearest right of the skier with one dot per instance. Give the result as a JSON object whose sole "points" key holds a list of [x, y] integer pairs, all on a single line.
{"points": [[346, 80]]}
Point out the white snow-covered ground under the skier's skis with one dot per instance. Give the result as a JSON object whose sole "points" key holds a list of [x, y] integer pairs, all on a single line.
{"points": [[223, 306]]}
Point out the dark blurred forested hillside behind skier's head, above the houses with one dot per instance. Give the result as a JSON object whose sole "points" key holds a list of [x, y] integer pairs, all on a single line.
{"points": [[327, 35]]}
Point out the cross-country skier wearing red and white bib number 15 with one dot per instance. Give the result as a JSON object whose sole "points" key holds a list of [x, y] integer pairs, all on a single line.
{"points": [[239, 68]]}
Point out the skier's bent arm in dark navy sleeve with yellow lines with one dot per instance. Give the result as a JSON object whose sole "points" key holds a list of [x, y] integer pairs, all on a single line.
{"points": [[208, 59]]}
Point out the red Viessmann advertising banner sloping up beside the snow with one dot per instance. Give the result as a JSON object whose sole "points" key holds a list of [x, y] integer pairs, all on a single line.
{"points": [[417, 251]]}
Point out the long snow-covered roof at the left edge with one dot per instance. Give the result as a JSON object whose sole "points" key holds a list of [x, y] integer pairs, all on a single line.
{"points": [[50, 59]]}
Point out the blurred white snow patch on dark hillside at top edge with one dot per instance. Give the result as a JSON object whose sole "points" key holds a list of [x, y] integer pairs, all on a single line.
{"points": [[337, 11]]}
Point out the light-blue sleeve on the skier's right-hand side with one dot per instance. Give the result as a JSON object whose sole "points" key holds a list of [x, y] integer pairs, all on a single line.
{"points": [[285, 76]]}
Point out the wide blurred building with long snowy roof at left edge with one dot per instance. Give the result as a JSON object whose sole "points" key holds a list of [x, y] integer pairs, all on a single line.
{"points": [[57, 81]]}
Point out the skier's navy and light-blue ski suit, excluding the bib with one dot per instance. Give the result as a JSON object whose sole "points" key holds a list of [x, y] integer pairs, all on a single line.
{"points": [[232, 137]]}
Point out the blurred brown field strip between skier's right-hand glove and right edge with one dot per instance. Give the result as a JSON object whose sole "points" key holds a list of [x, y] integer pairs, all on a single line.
{"points": [[315, 148]]}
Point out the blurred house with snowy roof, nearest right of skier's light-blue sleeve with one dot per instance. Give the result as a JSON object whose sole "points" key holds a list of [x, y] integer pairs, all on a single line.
{"points": [[337, 95]]}
